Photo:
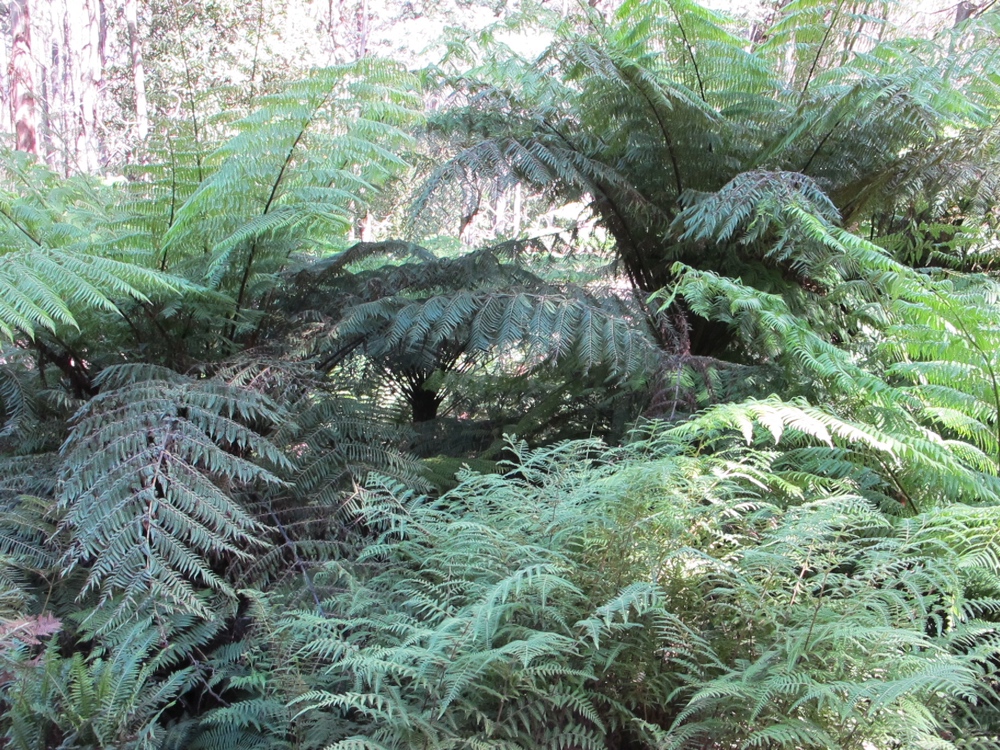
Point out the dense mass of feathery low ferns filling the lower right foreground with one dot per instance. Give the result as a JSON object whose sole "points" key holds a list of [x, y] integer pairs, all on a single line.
{"points": [[588, 597]]}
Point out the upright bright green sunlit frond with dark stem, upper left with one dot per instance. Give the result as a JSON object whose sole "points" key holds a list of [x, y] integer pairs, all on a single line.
{"points": [[309, 174]]}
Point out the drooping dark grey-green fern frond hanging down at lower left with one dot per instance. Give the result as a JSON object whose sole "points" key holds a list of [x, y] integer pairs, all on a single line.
{"points": [[150, 468]]}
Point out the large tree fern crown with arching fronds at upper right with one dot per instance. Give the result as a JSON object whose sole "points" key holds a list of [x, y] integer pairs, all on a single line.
{"points": [[694, 139]]}
